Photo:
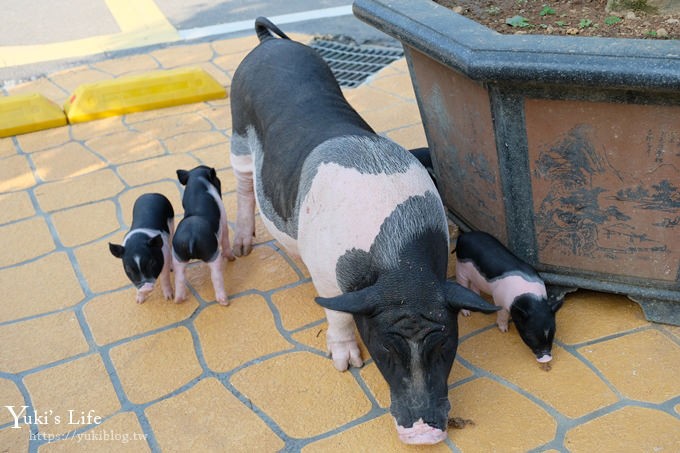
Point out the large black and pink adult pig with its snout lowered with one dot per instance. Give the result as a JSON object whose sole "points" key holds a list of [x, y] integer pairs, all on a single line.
{"points": [[364, 216]]}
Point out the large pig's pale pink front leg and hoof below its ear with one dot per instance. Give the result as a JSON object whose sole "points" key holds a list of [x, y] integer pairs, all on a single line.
{"points": [[341, 341]]}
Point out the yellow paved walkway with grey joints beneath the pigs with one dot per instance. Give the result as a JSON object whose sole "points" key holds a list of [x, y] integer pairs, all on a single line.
{"points": [[99, 372]]}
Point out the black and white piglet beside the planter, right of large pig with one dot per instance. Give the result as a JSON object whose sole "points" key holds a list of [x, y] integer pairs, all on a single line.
{"points": [[484, 264]]}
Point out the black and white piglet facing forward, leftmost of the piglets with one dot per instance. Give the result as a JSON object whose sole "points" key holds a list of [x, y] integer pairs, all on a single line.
{"points": [[145, 250]]}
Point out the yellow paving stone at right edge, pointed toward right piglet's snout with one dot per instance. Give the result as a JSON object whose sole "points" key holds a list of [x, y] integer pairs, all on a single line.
{"points": [[643, 365]]}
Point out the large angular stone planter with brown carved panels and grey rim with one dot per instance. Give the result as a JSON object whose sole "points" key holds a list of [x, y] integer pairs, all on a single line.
{"points": [[567, 149]]}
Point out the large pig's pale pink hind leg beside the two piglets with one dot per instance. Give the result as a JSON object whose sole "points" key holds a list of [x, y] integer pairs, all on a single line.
{"points": [[245, 211]]}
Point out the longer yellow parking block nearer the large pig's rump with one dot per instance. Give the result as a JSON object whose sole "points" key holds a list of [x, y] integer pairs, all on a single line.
{"points": [[148, 91]]}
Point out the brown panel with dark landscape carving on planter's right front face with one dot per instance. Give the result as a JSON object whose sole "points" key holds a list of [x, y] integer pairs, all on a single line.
{"points": [[606, 197]]}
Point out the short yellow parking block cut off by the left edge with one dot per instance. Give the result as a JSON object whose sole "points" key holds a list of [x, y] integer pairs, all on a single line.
{"points": [[27, 113]]}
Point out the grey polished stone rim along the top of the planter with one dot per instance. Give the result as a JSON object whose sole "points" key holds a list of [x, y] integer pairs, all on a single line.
{"points": [[487, 56]]}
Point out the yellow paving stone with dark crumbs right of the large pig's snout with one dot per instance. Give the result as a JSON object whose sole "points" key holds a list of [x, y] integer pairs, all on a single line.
{"points": [[503, 420]]}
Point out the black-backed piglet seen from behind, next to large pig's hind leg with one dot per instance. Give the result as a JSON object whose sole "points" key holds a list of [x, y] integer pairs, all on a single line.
{"points": [[202, 231]]}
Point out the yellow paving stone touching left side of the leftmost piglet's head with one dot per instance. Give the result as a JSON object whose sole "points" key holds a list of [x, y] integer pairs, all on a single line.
{"points": [[102, 271]]}
